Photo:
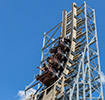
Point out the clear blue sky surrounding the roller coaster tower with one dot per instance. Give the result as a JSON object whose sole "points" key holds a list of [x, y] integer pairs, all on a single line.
{"points": [[22, 23]]}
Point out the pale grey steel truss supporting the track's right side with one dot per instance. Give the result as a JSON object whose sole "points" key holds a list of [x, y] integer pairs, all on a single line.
{"points": [[87, 84]]}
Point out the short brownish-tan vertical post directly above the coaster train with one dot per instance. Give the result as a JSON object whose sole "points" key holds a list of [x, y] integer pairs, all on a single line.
{"points": [[64, 21]]}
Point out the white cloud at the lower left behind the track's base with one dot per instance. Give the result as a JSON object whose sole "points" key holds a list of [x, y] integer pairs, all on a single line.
{"points": [[21, 93]]}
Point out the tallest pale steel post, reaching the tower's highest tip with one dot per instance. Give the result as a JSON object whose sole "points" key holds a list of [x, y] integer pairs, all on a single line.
{"points": [[90, 89]]}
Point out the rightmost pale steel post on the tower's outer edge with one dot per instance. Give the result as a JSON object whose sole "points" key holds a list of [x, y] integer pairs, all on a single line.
{"points": [[98, 53]]}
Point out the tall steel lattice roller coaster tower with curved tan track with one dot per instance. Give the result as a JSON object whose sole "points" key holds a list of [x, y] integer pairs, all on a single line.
{"points": [[80, 79]]}
